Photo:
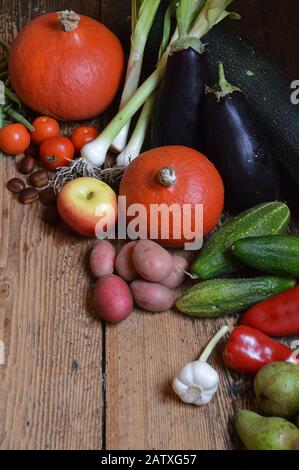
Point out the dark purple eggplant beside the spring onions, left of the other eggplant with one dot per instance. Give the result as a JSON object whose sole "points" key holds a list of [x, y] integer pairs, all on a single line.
{"points": [[177, 117]]}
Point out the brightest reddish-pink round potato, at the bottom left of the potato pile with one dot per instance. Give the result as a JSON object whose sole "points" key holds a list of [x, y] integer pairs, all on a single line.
{"points": [[112, 299]]}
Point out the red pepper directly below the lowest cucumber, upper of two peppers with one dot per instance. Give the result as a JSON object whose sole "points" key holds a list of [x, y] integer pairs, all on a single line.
{"points": [[277, 316]]}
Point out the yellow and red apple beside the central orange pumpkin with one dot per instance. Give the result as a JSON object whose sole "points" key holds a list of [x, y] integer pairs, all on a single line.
{"points": [[84, 202]]}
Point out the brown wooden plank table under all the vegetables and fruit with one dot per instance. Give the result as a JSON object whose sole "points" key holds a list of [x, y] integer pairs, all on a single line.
{"points": [[70, 382]]}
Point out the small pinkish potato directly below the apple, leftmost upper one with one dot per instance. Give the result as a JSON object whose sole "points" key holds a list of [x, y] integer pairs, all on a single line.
{"points": [[102, 259]]}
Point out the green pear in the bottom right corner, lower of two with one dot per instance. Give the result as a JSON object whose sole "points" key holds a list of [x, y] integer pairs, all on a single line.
{"points": [[259, 433]]}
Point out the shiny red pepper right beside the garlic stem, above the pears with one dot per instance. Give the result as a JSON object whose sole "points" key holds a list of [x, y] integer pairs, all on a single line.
{"points": [[248, 350]]}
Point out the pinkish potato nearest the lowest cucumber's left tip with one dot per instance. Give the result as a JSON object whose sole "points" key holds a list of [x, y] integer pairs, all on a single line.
{"points": [[152, 297]]}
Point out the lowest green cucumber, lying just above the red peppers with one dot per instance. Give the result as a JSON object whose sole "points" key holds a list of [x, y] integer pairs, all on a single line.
{"points": [[225, 296]]}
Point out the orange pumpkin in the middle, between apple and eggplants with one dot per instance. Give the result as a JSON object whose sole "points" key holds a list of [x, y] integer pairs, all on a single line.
{"points": [[174, 175]]}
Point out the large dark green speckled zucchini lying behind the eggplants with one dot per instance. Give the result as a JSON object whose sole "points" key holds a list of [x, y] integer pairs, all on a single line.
{"points": [[268, 91]]}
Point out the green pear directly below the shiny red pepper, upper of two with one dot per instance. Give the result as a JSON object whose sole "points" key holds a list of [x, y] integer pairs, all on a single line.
{"points": [[276, 388]]}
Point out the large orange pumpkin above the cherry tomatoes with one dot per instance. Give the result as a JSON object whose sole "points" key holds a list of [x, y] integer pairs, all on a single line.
{"points": [[66, 66]]}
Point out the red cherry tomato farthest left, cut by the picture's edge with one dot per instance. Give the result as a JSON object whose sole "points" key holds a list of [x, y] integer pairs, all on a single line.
{"points": [[14, 139]]}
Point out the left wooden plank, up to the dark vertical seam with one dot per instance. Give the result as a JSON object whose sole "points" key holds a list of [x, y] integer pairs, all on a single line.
{"points": [[51, 385]]}
